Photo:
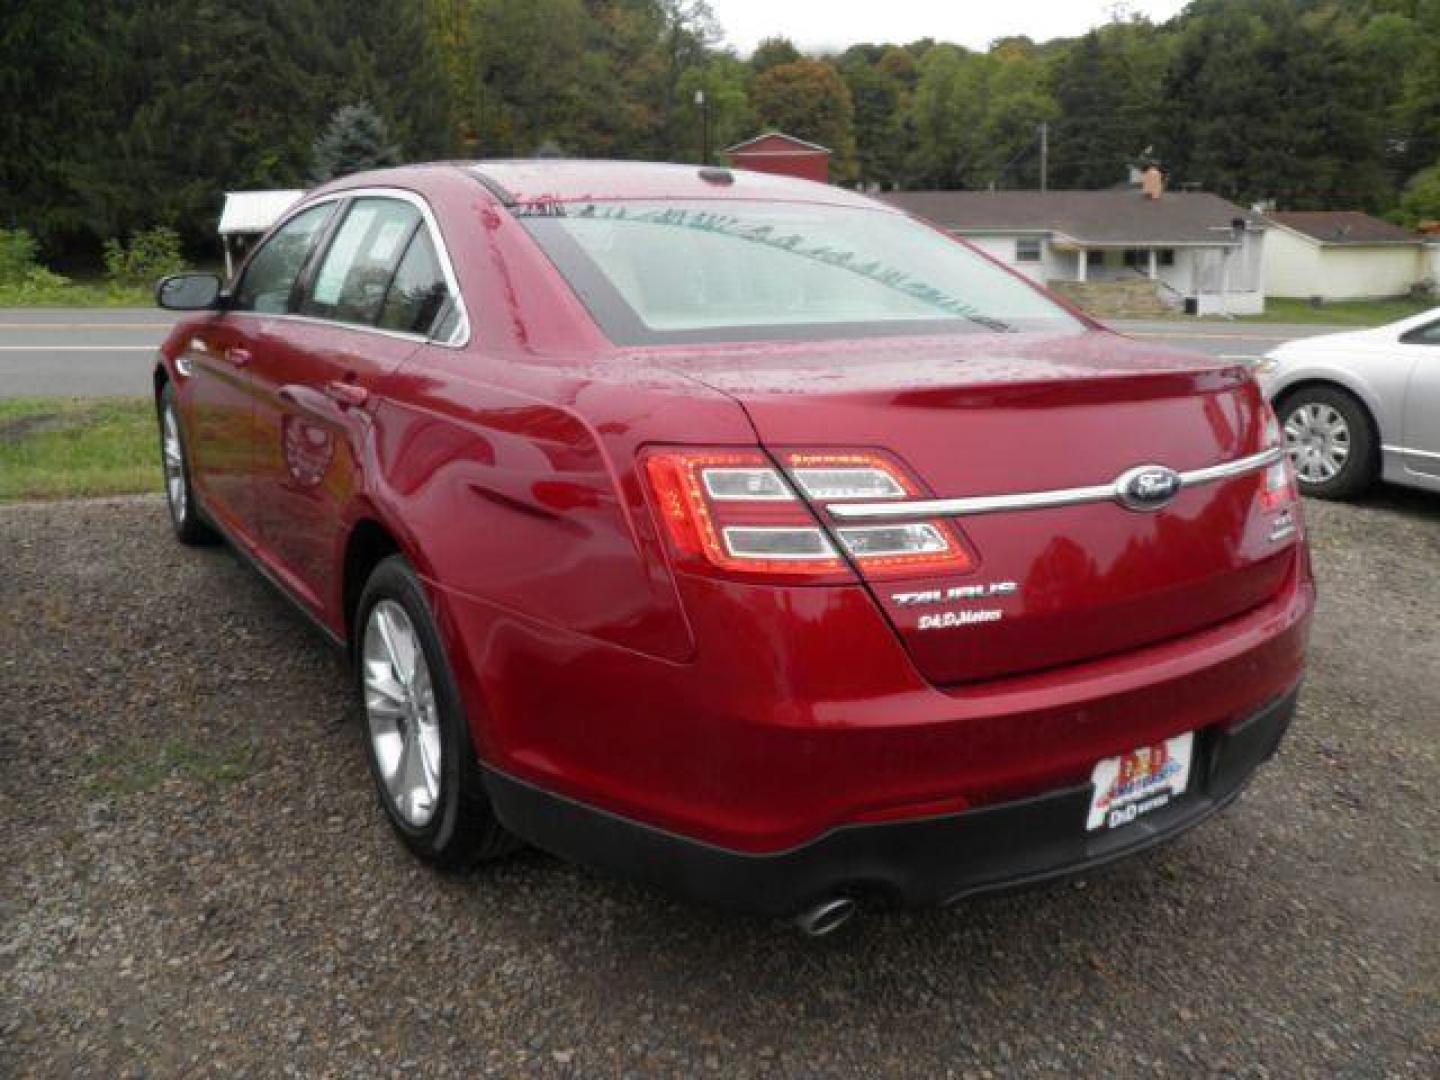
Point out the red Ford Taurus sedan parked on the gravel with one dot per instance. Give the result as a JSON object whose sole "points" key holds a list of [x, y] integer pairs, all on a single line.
{"points": [[741, 534]]}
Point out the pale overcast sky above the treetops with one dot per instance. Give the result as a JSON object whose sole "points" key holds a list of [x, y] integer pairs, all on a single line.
{"points": [[833, 25]]}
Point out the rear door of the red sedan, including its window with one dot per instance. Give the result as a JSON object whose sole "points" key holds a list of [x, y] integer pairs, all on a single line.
{"points": [[365, 307]]}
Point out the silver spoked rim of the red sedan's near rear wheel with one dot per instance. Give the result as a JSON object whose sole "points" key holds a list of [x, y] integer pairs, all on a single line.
{"points": [[401, 711]]}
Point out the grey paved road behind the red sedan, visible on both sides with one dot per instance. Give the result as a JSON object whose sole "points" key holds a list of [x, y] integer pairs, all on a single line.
{"points": [[107, 352]]}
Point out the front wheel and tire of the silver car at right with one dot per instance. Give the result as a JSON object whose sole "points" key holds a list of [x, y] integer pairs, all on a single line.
{"points": [[1331, 441]]}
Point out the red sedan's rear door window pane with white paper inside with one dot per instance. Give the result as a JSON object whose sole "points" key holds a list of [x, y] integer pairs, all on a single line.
{"points": [[355, 276]]}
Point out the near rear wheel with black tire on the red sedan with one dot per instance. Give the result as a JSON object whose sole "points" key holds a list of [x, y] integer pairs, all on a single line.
{"points": [[417, 735]]}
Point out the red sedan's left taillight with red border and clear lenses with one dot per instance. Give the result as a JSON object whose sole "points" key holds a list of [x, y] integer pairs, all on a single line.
{"points": [[734, 512]]}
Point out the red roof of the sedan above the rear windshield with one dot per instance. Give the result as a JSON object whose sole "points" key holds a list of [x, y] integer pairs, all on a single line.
{"points": [[522, 182]]}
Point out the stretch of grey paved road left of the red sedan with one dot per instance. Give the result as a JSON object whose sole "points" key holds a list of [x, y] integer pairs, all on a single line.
{"points": [[78, 352]]}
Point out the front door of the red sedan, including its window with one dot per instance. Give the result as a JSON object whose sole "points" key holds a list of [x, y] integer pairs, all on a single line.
{"points": [[218, 397]]}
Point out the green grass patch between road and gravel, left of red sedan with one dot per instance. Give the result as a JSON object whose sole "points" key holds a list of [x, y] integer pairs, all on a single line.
{"points": [[73, 447]]}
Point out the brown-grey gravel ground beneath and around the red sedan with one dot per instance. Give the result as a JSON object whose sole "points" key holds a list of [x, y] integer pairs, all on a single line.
{"points": [[199, 879]]}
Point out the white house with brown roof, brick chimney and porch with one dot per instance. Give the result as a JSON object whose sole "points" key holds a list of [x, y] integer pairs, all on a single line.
{"points": [[1202, 251]]}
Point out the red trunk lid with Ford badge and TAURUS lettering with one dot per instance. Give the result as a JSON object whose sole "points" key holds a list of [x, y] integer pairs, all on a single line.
{"points": [[993, 415]]}
